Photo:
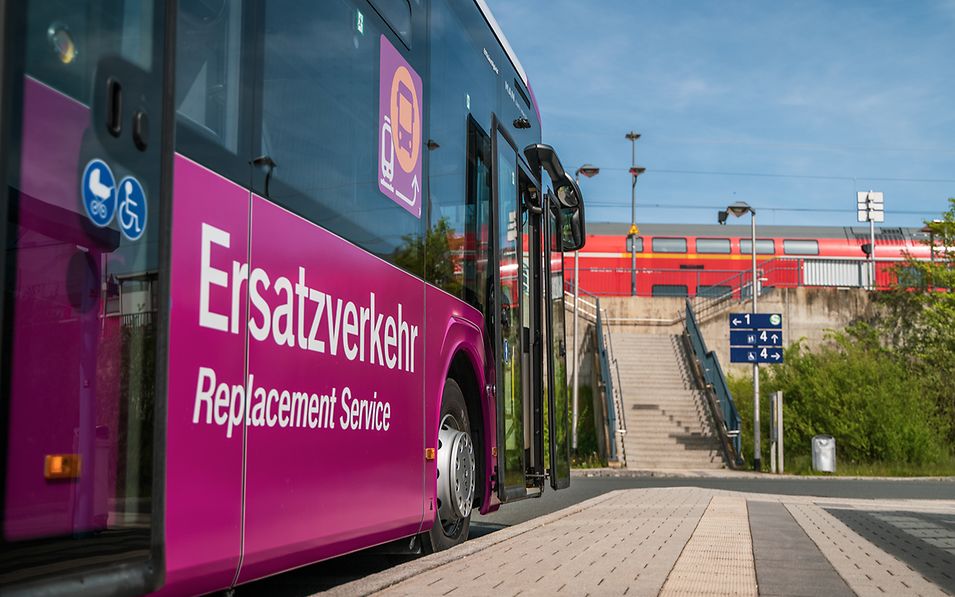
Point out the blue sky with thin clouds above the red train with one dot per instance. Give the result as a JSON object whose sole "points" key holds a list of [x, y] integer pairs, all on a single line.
{"points": [[792, 107]]}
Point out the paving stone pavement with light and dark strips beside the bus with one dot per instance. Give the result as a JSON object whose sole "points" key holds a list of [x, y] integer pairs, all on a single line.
{"points": [[691, 541]]}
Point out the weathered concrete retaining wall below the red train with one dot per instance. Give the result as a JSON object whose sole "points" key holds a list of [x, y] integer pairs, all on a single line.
{"points": [[808, 313]]}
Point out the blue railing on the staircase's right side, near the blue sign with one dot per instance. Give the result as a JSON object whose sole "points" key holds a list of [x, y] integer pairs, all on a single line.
{"points": [[724, 410]]}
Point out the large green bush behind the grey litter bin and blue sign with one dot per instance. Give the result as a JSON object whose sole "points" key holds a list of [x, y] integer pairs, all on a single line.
{"points": [[853, 389]]}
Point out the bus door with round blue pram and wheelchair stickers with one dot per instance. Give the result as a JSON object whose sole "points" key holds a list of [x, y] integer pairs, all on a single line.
{"points": [[84, 150]]}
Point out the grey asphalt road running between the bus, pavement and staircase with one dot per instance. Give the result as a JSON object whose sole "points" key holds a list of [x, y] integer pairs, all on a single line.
{"points": [[331, 573]]}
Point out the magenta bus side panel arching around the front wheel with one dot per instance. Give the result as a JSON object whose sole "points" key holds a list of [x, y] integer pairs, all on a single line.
{"points": [[458, 328]]}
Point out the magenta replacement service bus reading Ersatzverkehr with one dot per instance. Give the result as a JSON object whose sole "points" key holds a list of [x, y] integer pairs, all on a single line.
{"points": [[281, 280]]}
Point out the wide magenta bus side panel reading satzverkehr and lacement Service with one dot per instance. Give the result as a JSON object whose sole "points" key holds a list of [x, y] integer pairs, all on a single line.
{"points": [[337, 339]]}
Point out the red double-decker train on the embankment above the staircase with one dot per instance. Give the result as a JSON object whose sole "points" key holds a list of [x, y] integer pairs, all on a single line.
{"points": [[701, 259]]}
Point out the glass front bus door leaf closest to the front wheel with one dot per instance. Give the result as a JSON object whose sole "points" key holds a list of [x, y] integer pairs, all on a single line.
{"points": [[518, 345]]}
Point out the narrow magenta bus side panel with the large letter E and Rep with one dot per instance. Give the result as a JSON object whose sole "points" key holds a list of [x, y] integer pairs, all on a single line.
{"points": [[206, 365]]}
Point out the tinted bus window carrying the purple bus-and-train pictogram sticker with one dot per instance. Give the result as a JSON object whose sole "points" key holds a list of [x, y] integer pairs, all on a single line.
{"points": [[320, 112]]}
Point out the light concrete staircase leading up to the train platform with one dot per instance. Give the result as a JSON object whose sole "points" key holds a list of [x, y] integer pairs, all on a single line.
{"points": [[668, 422]]}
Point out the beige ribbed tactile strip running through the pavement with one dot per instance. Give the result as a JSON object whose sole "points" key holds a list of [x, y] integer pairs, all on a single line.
{"points": [[718, 559]]}
